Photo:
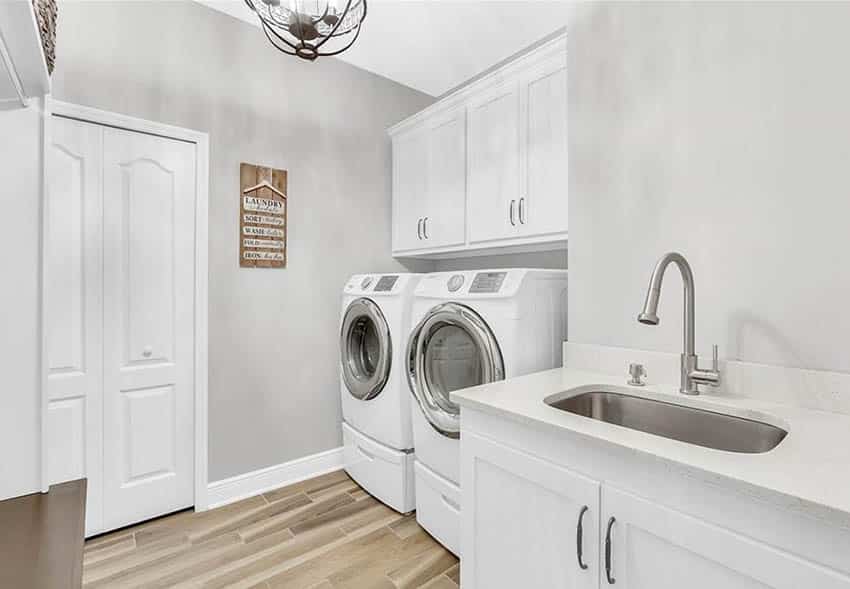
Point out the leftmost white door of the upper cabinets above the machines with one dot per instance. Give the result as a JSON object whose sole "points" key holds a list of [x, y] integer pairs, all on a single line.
{"points": [[410, 188]]}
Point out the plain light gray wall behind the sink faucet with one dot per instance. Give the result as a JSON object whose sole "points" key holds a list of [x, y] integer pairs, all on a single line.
{"points": [[721, 130]]}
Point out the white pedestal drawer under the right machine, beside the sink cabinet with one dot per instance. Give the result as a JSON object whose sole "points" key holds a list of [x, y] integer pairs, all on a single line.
{"points": [[438, 507]]}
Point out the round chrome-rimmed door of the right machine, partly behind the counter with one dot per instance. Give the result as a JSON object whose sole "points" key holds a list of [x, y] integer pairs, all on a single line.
{"points": [[452, 348]]}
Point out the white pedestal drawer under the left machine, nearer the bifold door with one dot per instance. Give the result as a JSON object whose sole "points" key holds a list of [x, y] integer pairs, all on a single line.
{"points": [[384, 472]]}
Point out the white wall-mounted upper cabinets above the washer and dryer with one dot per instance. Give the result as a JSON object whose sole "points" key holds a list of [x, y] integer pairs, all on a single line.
{"points": [[495, 177]]}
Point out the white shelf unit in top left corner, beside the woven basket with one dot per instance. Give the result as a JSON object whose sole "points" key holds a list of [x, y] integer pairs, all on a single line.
{"points": [[23, 71]]}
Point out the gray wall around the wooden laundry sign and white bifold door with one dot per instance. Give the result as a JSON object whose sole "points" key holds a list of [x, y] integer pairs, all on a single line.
{"points": [[274, 388]]}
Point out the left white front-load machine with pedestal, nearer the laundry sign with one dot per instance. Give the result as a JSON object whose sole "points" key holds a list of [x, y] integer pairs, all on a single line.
{"points": [[376, 429]]}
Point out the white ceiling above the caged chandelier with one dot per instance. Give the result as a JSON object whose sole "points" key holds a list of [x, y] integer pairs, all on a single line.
{"points": [[437, 45]]}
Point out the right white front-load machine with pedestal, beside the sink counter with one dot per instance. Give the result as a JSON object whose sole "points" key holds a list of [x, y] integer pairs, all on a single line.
{"points": [[472, 328]]}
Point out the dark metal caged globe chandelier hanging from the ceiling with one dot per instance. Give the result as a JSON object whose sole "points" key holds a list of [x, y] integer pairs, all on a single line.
{"points": [[310, 28]]}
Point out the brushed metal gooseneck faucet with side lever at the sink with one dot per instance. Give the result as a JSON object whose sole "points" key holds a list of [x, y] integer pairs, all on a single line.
{"points": [[691, 373]]}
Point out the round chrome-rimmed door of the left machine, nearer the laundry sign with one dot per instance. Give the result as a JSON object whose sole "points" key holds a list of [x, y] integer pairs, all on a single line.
{"points": [[365, 349]]}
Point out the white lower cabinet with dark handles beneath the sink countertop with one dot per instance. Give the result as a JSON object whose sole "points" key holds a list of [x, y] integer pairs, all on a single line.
{"points": [[533, 521]]}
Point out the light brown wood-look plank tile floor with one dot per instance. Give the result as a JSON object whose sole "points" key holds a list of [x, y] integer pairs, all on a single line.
{"points": [[324, 533]]}
